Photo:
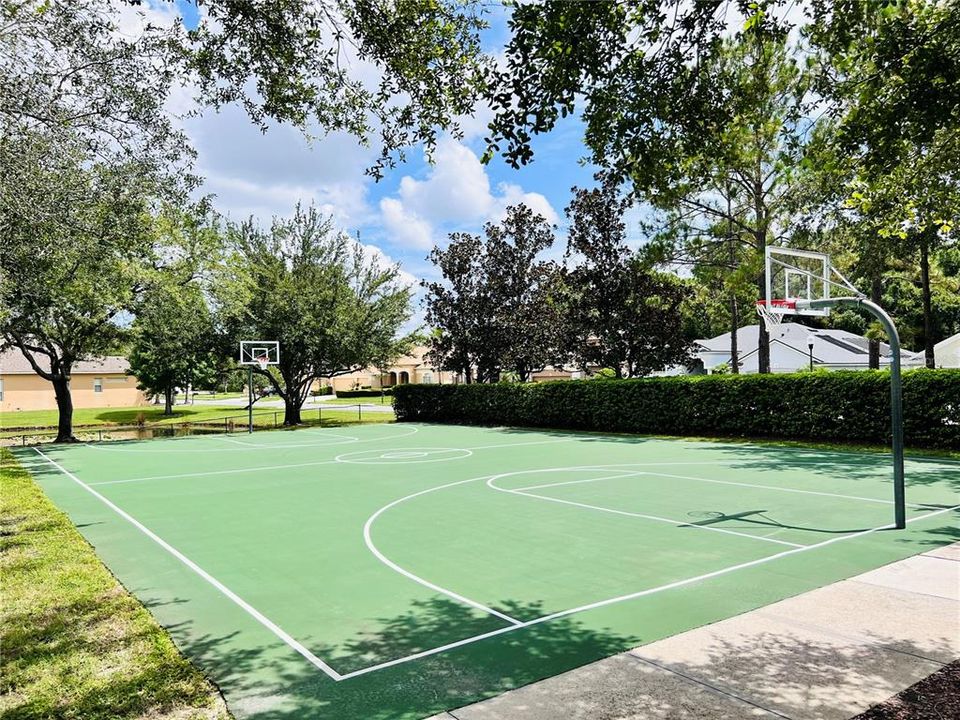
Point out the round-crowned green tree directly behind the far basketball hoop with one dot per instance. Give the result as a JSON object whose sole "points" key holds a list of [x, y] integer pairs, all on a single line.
{"points": [[305, 284]]}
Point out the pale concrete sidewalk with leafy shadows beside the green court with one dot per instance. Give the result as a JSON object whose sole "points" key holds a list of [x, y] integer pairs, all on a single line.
{"points": [[829, 653]]}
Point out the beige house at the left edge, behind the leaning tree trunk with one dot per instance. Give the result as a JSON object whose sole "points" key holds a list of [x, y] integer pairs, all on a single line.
{"points": [[102, 382]]}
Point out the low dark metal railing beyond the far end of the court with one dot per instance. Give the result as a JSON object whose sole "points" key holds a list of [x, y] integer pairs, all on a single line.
{"points": [[268, 420]]}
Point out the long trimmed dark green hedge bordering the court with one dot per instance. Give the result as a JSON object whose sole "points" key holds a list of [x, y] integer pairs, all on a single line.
{"points": [[852, 406]]}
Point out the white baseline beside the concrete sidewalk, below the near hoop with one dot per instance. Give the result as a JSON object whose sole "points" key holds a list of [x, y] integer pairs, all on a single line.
{"points": [[631, 596]]}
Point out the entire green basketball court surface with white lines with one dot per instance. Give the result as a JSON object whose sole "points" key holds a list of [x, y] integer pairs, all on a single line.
{"points": [[396, 571]]}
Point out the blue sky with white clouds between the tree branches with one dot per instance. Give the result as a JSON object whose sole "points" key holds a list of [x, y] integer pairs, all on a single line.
{"points": [[413, 208]]}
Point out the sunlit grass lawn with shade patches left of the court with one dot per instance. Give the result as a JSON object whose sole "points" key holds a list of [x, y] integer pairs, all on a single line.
{"points": [[75, 643]]}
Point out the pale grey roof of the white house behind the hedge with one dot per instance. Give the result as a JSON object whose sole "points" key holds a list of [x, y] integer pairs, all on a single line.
{"points": [[830, 347]]}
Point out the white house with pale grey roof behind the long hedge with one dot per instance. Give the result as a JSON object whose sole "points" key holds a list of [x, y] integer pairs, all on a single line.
{"points": [[791, 348]]}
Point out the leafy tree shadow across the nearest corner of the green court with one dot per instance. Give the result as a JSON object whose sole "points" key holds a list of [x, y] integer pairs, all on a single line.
{"points": [[266, 684]]}
